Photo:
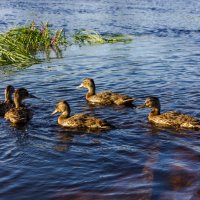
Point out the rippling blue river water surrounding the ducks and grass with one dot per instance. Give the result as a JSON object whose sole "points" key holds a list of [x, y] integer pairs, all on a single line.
{"points": [[134, 161]]}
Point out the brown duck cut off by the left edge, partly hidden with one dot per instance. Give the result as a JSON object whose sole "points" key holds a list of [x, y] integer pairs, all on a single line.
{"points": [[8, 103]]}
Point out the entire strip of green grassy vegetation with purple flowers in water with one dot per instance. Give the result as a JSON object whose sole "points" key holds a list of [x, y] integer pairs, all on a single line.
{"points": [[20, 46]]}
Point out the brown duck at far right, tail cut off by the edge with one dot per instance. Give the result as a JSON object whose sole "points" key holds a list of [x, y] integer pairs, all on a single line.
{"points": [[169, 119]]}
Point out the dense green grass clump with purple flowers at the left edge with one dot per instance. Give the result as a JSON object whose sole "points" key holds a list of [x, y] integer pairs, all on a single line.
{"points": [[19, 46]]}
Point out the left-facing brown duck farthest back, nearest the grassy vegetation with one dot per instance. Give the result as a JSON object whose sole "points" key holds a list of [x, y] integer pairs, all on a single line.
{"points": [[104, 98]]}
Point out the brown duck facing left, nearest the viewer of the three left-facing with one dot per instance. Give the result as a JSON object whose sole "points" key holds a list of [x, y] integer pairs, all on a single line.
{"points": [[79, 120]]}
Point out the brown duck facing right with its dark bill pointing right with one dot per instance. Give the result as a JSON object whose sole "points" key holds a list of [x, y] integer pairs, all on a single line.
{"points": [[20, 114]]}
